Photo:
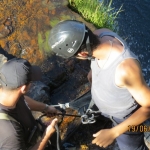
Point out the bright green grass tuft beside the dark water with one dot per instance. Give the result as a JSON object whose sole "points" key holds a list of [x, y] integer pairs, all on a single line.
{"points": [[98, 13]]}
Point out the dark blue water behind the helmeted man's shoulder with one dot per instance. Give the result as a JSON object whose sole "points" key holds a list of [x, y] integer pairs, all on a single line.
{"points": [[134, 26]]}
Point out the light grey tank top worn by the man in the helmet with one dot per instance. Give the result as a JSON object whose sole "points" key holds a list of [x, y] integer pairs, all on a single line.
{"points": [[109, 98]]}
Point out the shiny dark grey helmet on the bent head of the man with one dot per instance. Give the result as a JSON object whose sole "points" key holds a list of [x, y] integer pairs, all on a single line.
{"points": [[66, 38]]}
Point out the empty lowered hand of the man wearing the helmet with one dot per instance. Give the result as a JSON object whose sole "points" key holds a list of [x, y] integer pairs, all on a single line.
{"points": [[104, 138]]}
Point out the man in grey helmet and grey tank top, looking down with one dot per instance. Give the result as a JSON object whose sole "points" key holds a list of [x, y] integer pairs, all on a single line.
{"points": [[118, 87]]}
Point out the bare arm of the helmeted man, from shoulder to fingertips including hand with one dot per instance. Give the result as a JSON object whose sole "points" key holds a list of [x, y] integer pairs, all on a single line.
{"points": [[131, 78]]}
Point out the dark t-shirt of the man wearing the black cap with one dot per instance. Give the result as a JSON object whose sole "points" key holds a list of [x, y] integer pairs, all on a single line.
{"points": [[13, 135]]}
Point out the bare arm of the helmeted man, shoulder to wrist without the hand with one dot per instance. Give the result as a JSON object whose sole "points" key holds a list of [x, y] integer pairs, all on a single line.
{"points": [[132, 79]]}
